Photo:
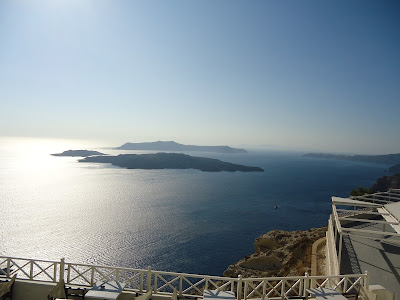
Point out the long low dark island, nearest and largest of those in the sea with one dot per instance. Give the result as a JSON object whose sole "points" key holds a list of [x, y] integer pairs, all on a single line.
{"points": [[169, 161]]}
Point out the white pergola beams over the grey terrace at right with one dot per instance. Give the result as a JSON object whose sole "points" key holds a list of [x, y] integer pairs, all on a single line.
{"points": [[374, 216]]}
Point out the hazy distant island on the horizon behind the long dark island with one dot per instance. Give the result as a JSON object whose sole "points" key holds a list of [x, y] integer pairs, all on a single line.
{"points": [[173, 146]]}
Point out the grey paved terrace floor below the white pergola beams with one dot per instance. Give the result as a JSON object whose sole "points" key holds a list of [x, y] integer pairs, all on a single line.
{"points": [[380, 259]]}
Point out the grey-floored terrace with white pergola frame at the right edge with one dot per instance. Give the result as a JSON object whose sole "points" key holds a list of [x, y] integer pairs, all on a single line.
{"points": [[364, 231]]}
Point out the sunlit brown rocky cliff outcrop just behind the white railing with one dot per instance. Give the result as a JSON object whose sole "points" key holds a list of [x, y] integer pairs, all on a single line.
{"points": [[278, 253]]}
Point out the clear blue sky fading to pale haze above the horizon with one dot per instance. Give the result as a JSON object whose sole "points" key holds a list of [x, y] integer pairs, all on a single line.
{"points": [[305, 75]]}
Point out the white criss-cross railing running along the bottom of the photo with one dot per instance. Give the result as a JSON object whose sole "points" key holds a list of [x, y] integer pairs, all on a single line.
{"points": [[159, 282]]}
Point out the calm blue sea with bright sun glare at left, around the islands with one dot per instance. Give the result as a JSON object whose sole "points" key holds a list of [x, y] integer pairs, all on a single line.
{"points": [[172, 220]]}
